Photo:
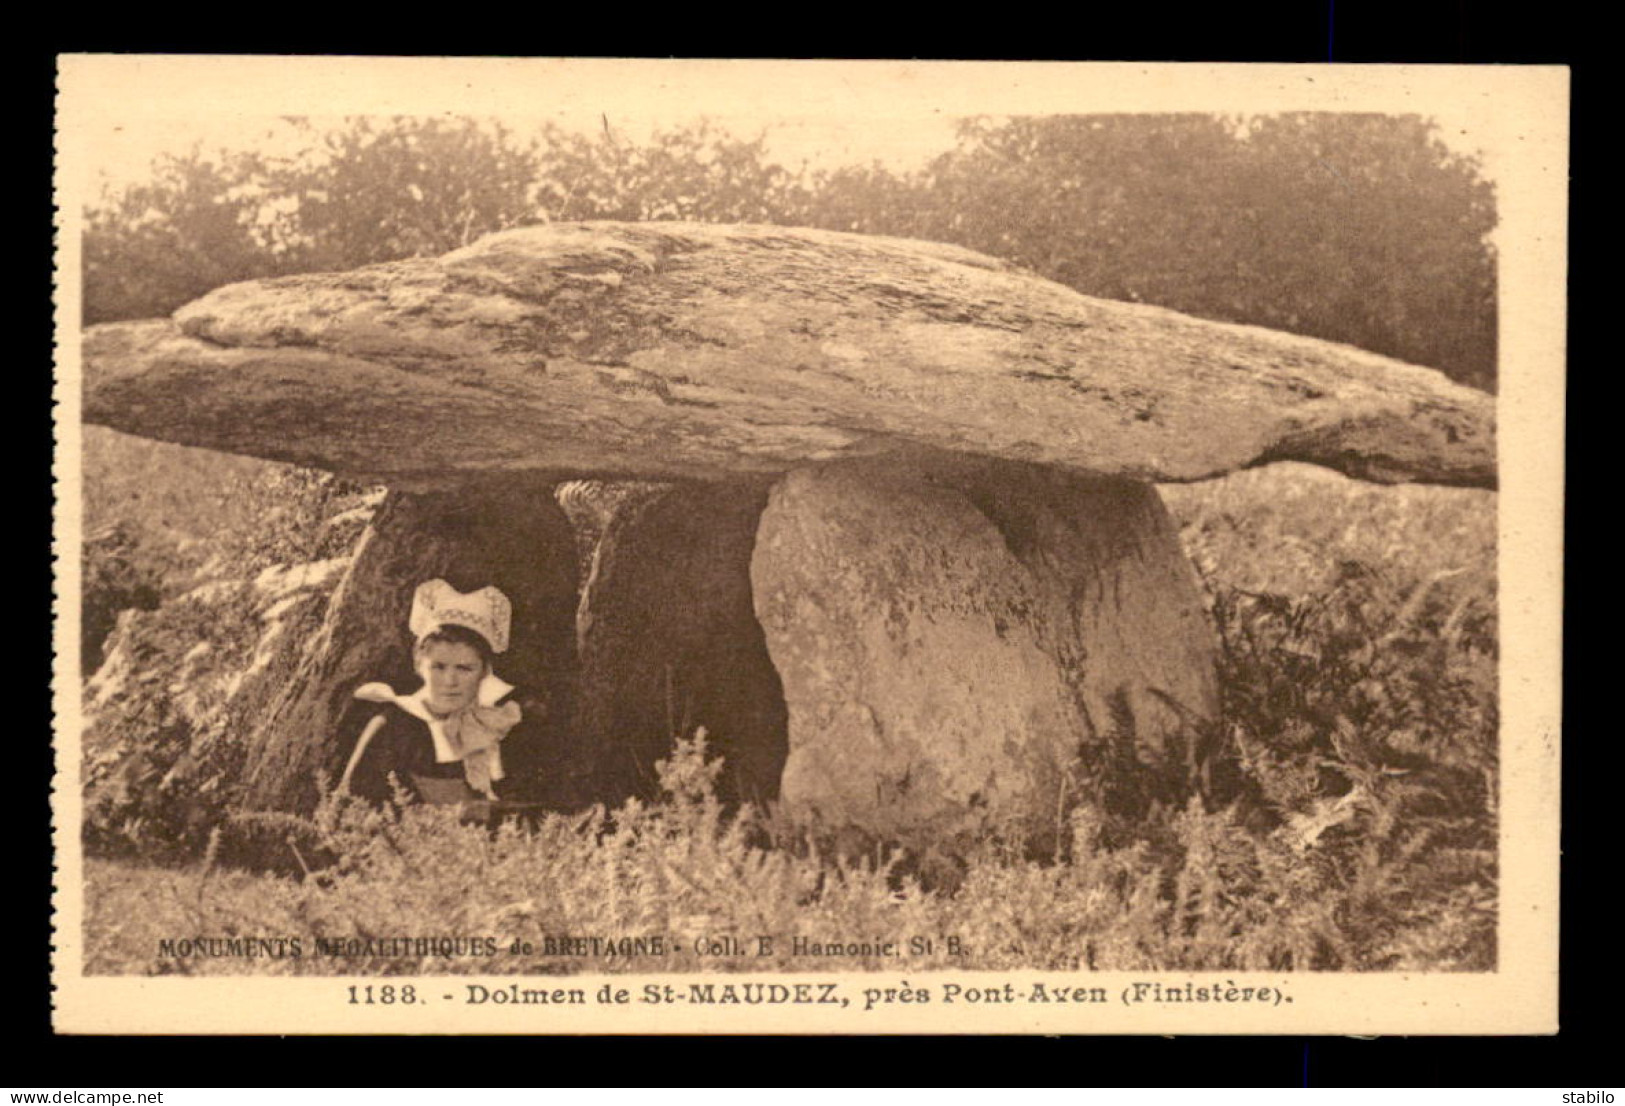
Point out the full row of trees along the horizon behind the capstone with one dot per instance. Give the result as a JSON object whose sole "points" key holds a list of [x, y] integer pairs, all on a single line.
{"points": [[1356, 228]]}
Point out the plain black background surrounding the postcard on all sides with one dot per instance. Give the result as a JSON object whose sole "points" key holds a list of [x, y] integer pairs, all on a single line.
{"points": [[1582, 1055]]}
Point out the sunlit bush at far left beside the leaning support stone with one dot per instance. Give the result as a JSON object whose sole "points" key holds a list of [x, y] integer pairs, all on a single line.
{"points": [[163, 735]]}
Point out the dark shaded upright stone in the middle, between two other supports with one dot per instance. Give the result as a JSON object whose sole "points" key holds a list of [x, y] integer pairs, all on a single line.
{"points": [[669, 642]]}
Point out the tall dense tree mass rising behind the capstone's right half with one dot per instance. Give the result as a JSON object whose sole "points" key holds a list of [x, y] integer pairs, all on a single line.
{"points": [[1354, 228]]}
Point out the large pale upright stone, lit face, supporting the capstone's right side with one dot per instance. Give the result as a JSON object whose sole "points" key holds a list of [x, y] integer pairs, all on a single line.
{"points": [[948, 641]]}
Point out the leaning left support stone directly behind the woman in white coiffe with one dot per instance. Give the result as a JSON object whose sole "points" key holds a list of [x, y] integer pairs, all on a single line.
{"points": [[514, 538]]}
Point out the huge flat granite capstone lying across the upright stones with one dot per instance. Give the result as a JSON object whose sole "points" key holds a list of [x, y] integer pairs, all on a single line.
{"points": [[693, 352]]}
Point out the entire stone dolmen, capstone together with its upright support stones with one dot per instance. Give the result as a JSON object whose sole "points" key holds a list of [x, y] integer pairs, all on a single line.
{"points": [[906, 559]]}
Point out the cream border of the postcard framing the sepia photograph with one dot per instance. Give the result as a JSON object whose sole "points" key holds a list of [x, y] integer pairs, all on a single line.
{"points": [[1519, 116]]}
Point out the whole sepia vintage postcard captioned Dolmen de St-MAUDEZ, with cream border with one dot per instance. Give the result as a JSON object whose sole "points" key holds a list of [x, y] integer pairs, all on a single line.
{"points": [[646, 547]]}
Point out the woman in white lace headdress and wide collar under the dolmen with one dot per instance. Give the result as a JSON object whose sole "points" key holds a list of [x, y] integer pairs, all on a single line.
{"points": [[443, 743]]}
